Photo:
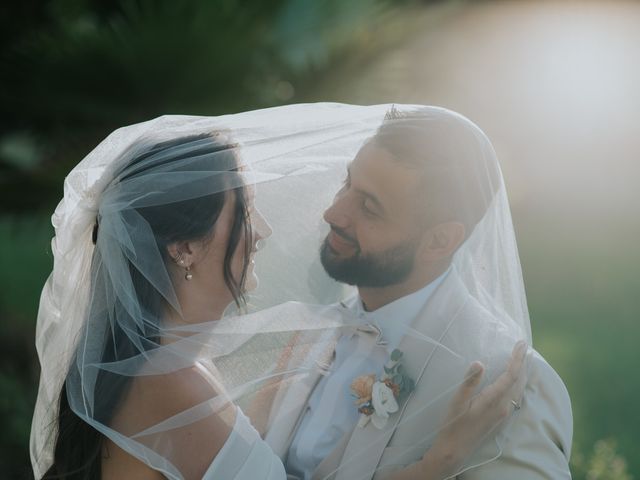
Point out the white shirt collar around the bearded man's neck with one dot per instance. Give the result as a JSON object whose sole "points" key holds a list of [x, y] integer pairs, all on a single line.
{"points": [[395, 318]]}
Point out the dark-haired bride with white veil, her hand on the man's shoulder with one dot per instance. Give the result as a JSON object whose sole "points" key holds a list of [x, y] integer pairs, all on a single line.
{"points": [[150, 351]]}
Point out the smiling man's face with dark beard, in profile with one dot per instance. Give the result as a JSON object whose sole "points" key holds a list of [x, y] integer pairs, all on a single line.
{"points": [[375, 232]]}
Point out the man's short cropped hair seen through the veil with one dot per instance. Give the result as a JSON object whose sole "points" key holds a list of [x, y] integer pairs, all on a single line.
{"points": [[456, 161]]}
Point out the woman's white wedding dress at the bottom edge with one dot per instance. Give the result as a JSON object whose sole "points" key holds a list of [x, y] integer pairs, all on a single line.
{"points": [[245, 456]]}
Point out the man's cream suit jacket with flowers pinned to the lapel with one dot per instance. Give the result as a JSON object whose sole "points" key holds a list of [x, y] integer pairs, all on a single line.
{"points": [[535, 444]]}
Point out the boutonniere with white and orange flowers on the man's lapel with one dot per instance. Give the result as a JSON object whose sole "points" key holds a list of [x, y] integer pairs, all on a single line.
{"points": [[377, 398]]}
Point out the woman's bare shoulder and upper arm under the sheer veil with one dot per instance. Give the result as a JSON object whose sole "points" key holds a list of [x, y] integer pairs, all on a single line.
{"points": [[201, 418]]}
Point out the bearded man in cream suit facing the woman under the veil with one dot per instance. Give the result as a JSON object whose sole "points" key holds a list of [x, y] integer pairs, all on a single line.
{"points": [[415, 228]]}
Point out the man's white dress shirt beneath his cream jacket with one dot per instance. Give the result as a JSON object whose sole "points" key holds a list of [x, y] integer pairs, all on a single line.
{"points": [[331, 411]]}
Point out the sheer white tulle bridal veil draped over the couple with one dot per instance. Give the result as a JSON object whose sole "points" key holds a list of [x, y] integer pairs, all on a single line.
{"points": [[102, 328]]}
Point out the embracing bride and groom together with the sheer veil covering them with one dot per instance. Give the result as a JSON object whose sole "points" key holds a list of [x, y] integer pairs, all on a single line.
{"points": [[310, 291]]}
